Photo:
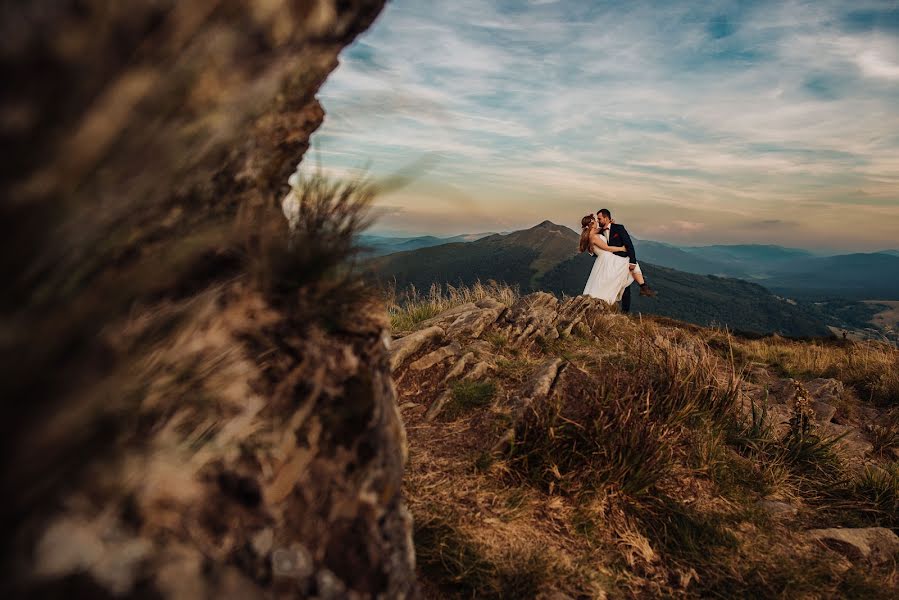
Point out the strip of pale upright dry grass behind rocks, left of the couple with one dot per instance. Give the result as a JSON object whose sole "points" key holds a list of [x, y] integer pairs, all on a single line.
{"points": [[408, 308]]}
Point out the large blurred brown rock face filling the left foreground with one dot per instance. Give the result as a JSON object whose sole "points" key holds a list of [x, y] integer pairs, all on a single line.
{"points": [[197, 424]]}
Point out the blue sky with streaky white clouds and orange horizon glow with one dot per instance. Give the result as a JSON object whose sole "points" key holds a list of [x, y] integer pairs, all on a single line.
{"points": [[693, 122]]}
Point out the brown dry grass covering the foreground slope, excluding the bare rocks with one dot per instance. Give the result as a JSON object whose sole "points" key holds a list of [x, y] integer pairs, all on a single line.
{"points": [[573, 507]]}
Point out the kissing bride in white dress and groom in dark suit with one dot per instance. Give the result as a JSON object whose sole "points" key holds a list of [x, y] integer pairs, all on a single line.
{"points": [[616, 260]]}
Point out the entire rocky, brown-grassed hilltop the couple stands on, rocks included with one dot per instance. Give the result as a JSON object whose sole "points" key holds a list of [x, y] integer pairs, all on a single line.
{"points": [[564, 448]]}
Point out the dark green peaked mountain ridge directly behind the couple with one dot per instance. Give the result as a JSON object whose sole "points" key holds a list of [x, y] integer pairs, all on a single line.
{"points": [[545, 258]]}
